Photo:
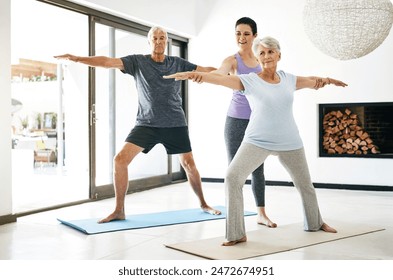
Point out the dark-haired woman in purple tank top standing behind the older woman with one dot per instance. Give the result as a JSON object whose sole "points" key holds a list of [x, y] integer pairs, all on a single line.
{"points": [[239, 111]]}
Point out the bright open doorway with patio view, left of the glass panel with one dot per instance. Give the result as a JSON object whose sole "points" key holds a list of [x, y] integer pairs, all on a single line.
{"points": [[49, 101]]}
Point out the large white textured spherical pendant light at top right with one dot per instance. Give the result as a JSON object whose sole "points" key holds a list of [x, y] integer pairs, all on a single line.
{"points": [[347, 29]]}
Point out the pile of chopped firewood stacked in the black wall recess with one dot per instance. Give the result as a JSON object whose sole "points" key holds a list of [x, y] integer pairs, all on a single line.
{"points": [[343, 134]]}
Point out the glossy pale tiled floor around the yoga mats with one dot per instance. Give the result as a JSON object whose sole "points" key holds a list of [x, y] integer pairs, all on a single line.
{"points": [[42, 237]]}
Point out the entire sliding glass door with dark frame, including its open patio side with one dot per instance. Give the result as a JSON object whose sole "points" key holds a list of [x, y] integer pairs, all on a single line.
{"points": [[69, 120]]}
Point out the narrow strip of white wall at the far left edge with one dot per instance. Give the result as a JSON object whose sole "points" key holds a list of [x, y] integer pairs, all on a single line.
{"points": [[5, 109]]}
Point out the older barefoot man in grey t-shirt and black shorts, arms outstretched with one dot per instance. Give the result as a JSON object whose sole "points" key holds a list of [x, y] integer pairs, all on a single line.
{"points": [[160, 118]]}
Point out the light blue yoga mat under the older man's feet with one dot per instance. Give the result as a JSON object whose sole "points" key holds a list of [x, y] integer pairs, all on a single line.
{"points": [[90, 226]]}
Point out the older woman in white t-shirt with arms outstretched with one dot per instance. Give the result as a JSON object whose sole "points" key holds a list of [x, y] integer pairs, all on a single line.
{"points": [[272, 130]]}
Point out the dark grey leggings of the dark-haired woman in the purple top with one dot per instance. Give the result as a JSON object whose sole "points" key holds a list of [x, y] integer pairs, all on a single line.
{"points": [[233, 134]]}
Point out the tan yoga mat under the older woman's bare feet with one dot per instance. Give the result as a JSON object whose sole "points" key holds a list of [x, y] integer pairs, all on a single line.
{"points": [[265, 241]]}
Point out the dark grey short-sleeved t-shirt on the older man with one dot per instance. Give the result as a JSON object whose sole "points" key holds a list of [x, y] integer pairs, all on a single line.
{"points": [[159, 100]]}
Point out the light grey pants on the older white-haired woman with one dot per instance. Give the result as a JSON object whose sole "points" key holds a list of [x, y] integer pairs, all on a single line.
{"points": [[246, 160]]}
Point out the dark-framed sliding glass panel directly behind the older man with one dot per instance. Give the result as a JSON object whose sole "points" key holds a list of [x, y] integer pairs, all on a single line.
{"points": [[114, 107]]}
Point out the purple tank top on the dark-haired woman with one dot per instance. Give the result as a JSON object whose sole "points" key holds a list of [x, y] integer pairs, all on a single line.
{"points": [[239, 107]]}
